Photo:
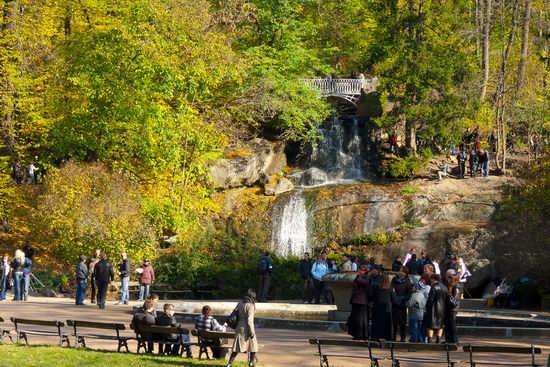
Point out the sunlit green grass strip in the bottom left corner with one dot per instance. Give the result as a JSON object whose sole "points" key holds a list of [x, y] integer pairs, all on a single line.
{"points": [[50, 356]]}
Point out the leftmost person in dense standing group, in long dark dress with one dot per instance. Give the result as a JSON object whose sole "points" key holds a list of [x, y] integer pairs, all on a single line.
{"points": [[358, 321]]}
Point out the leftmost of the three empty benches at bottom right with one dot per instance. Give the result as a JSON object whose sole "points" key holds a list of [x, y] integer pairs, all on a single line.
{"points": [[364, 344]]}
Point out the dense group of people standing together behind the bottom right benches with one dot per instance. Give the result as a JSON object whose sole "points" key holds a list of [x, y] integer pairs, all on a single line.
{"points": [[427, 302]]}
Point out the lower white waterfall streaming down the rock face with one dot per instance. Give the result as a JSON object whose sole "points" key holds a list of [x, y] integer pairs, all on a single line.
{"points": [[290, 216]]}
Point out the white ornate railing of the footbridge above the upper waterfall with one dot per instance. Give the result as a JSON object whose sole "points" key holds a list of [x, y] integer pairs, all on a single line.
{"points": [[342, 87]]}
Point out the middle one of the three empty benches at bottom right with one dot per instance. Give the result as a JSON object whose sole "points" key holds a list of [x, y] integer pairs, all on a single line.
{"points": [[414, 347]]}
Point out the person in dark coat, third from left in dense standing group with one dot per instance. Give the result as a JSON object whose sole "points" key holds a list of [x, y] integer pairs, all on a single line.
{"points": [[401, 286]]}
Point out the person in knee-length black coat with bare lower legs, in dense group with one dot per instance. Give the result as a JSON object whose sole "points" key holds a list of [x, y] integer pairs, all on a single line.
{"points": [[435, 308]]}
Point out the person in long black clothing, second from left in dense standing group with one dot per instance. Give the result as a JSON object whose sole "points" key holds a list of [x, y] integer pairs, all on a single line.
{"points": [[381, 310]]}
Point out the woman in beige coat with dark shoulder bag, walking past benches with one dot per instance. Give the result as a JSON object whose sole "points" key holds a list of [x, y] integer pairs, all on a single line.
{"points": [[245, 334]]}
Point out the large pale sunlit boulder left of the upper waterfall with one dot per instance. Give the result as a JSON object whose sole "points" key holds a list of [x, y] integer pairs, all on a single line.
{"points": [[262, 159]]}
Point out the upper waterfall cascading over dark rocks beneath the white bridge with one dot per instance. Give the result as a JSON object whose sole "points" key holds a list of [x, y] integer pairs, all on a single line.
{"points": [[338, 156]]}
